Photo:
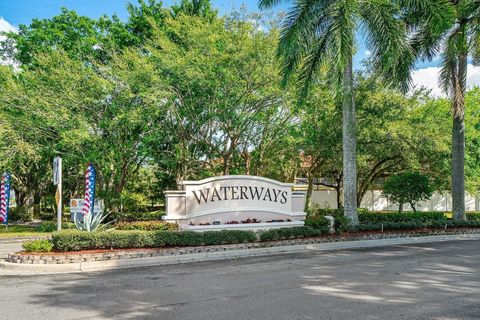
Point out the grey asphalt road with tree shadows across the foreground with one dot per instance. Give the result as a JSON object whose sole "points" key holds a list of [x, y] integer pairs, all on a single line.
{"points": [[429, 281]]}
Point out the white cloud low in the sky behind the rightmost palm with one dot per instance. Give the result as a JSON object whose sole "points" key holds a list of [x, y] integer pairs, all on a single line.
{"points": [[428, 78]]}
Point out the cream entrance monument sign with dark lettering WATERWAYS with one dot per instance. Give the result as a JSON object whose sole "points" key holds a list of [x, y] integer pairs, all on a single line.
{"points": [[234, 201]]}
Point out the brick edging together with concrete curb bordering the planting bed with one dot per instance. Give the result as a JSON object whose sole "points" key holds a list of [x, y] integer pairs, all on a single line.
{"points": [[45, 263]]}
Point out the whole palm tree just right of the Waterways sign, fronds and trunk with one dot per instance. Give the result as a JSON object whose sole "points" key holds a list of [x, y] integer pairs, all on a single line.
{"points": [[322, 33]]}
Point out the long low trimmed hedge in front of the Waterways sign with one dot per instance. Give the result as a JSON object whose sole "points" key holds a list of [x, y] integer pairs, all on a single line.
{"points": [[80, 240]]}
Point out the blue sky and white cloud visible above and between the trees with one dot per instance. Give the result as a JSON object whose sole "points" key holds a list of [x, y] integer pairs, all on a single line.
{"points": [[16, 12]]}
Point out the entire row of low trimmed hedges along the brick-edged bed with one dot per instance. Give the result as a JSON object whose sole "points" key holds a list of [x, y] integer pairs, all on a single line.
{"points": [[73, 240]]}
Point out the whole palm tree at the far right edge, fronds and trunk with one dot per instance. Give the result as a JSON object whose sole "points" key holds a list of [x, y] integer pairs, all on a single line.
{"points": [[452, 29]]}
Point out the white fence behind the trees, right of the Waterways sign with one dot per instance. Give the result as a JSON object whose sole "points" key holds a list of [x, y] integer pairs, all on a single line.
{"points": [[375, 201]]}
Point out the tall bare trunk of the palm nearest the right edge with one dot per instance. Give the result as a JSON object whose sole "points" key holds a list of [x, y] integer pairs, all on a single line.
{"points": [[458, 141]]}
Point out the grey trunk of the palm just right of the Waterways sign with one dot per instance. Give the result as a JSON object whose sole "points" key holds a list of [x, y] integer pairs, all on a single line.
{"points": [[349, 146]]}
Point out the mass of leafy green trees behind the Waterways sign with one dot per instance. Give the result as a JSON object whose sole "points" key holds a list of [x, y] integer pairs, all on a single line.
{"points": [[181, 93]]}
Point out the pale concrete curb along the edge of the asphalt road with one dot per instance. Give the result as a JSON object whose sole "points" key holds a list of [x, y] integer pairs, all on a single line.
{"points": [[8, 268]]}
